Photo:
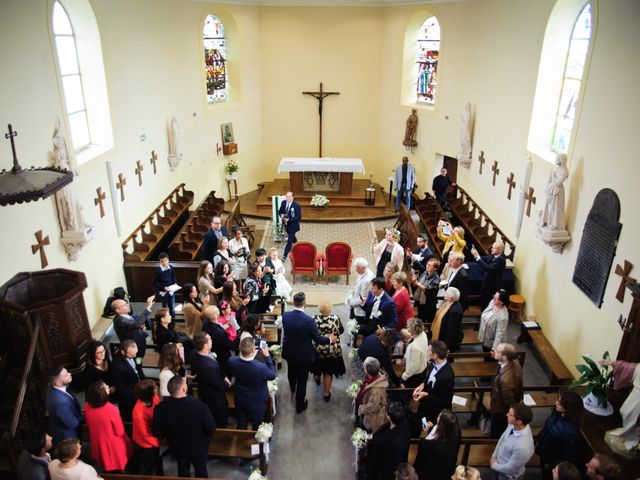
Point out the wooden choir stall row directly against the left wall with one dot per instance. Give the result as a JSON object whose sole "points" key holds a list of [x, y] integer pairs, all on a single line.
{"points": [[158, 226]]}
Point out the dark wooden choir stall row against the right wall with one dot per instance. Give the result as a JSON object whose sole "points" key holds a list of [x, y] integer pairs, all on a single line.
{"points": [[481, 230]]}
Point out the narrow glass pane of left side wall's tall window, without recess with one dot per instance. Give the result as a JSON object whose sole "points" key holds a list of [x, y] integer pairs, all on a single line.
{"points": [[65, 43]]}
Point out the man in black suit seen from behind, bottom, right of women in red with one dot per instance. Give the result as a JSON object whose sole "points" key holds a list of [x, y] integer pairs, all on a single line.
{"points": [[187, 425]]}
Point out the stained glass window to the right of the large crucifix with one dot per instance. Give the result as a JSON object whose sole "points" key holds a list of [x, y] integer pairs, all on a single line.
{"points": [[427, 52]]}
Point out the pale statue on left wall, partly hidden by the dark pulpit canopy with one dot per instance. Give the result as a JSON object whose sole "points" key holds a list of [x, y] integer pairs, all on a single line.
{"points": [[75, 233]]}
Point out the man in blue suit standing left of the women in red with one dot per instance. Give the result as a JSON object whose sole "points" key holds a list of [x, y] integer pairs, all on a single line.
{"points": [[65, 415]]}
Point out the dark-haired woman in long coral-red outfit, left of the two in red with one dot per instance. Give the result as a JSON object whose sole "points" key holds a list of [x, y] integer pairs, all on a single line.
{"points": [[110, 445]]}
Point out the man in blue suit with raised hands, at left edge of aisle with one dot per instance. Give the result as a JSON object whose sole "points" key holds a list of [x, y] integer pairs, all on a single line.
{"points": [[250, 388]]}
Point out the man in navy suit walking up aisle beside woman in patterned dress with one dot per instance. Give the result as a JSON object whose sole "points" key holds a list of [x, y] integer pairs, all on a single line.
{"points": [[299, 329]]}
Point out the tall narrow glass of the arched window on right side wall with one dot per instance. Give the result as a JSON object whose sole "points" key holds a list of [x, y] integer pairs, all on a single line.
{"points": [[576, 58]]}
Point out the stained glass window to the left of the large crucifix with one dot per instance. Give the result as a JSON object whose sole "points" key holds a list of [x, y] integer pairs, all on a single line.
{"points": [[215, 57]]}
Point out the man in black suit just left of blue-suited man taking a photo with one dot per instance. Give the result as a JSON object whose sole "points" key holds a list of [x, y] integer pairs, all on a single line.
{"points": [[212, 381]]}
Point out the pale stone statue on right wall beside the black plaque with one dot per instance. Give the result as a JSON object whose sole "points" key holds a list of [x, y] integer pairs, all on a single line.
{"points": [[551, 221]]}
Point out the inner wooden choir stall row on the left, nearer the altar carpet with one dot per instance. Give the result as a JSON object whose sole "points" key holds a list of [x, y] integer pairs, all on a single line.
{"points": [[188, 242]]}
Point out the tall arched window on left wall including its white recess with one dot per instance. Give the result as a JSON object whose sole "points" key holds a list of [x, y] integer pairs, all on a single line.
{"points": [[83, 85]]}
